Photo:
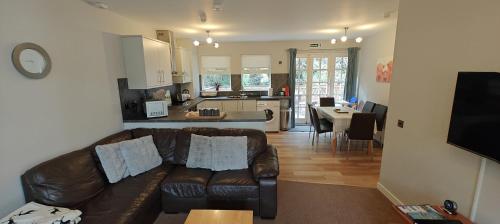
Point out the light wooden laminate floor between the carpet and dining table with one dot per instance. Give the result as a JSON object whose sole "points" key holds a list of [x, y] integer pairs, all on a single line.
{"points": [[302, 162]]}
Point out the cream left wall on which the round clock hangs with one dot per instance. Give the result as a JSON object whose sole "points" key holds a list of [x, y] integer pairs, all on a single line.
{"points": [[76, 104]]}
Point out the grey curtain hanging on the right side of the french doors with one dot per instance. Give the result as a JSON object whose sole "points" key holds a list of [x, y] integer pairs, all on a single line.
{"points": [[351, 84]]}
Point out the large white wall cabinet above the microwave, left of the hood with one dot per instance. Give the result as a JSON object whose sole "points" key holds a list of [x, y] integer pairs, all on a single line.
{"points": [[147, 62]]}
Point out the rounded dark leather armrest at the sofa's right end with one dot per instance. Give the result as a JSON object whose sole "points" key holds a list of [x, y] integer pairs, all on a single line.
{"points": [[266, 164]]}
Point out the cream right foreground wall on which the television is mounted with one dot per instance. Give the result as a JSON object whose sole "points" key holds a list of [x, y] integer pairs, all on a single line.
{"points": [[435, 40]]}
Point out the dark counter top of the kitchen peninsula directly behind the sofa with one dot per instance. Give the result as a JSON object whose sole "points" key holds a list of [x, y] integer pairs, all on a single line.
{"points": [[174, 115]]}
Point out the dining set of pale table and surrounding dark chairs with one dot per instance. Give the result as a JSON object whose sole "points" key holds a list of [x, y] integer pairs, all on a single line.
{"points": [[354, 125]]}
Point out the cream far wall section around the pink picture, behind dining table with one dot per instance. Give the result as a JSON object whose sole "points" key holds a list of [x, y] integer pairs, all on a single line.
{"points": [[373, 48]]}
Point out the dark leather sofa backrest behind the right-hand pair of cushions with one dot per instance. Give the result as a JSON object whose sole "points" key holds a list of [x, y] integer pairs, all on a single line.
{"points": [[256, 141]]}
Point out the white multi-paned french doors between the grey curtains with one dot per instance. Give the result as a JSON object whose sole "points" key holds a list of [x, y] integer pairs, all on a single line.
{"points": [[318, 75]]}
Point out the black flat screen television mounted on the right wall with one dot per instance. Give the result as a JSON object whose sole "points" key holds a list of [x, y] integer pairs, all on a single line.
{"points": [[475, 117]]}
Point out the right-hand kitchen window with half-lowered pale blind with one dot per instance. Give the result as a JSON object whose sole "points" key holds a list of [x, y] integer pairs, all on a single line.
{"points": [[256, 72]]}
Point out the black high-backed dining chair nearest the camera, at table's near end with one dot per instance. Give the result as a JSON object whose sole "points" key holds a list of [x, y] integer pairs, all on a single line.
{"points": [[361, 129]]}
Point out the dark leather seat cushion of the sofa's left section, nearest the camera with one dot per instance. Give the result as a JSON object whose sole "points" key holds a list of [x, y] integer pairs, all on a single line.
{"points": [[127, 201]]}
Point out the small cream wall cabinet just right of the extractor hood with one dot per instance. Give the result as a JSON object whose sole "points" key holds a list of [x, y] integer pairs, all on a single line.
{"points": [[183, 65]]}
